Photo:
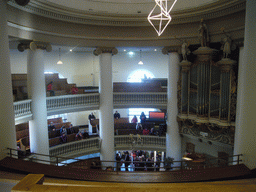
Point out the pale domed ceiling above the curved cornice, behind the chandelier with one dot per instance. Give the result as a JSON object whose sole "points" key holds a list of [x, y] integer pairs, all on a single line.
{"points": [[130, 7]]}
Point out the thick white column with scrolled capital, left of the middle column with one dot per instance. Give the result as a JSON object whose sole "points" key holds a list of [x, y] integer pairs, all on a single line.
{"points": [[38, 128]]}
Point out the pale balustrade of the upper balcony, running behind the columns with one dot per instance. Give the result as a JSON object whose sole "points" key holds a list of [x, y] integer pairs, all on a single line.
{"points": [[81, 102]]}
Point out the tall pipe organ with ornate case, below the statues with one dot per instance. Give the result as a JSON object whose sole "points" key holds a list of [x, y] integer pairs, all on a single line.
{"points": [[207, 96]]}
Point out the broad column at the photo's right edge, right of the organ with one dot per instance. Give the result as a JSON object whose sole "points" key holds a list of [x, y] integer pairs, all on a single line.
{"points": [[245, 131]]}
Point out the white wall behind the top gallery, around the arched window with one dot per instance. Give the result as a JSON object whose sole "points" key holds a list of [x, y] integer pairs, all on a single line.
{"points": [[82, 68]]}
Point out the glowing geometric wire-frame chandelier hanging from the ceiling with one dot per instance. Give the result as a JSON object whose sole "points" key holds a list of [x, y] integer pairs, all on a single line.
{"points": [[163, 17]]}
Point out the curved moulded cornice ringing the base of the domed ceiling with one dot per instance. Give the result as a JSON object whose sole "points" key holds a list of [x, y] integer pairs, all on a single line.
{"points": [[211, 11]]}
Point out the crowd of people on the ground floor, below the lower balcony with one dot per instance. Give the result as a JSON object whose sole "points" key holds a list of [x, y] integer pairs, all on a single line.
{"points": [[138, 161]]}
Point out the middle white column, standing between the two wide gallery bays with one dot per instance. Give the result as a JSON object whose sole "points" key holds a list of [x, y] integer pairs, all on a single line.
{"points": [[106, 118]]}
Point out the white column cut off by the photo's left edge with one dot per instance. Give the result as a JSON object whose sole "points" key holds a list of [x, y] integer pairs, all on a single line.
{"points": [[7, 122]]}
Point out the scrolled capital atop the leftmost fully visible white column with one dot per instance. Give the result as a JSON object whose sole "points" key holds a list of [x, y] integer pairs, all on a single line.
{"points": [[33, 45]]}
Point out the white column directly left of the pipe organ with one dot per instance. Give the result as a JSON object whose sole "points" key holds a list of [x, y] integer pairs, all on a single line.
{"points": [[173, 140]]}
